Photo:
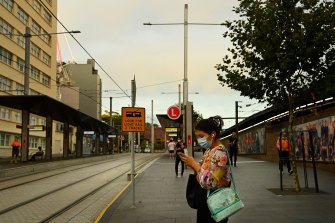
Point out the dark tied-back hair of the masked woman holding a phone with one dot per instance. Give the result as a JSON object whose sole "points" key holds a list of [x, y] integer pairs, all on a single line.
{"points": [[212, 124]]}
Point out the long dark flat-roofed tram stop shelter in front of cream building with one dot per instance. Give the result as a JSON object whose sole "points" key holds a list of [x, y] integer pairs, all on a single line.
{"points": [[52, 109]]}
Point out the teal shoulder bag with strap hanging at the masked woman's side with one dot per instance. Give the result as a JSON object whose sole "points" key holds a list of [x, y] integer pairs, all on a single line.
{"points": [[224, 202]]}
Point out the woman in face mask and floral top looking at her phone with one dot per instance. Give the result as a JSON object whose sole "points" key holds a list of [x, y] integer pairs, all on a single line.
{"points": [[213, 171]]}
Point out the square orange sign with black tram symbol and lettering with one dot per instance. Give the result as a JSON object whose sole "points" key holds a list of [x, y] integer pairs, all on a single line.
{"points": [[133, 119]]}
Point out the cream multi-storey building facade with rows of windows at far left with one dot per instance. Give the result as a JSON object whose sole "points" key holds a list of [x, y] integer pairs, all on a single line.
{"points": [[15, 16]]}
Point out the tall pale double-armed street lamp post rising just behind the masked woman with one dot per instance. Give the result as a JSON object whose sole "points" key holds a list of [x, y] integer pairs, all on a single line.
{"points": [[187, 115]]}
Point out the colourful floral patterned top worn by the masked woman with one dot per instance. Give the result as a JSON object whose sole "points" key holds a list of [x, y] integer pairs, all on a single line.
{"points": [[214, 171]]}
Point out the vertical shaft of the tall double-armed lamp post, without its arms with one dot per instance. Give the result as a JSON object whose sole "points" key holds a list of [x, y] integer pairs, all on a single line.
{"points": [[185, 82]]}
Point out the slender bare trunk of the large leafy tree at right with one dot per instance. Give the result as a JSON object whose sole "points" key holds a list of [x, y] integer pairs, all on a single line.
{"points": [[292, 148]]}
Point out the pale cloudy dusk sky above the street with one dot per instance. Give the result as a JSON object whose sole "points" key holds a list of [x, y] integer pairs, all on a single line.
{"points": [[112, 31]]}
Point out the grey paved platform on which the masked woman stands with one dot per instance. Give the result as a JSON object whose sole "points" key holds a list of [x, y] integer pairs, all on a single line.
{"points": [[160, 196]]}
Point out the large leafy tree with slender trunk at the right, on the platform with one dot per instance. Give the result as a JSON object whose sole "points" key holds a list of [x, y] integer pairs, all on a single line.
{"points": [[283, 53]]}
